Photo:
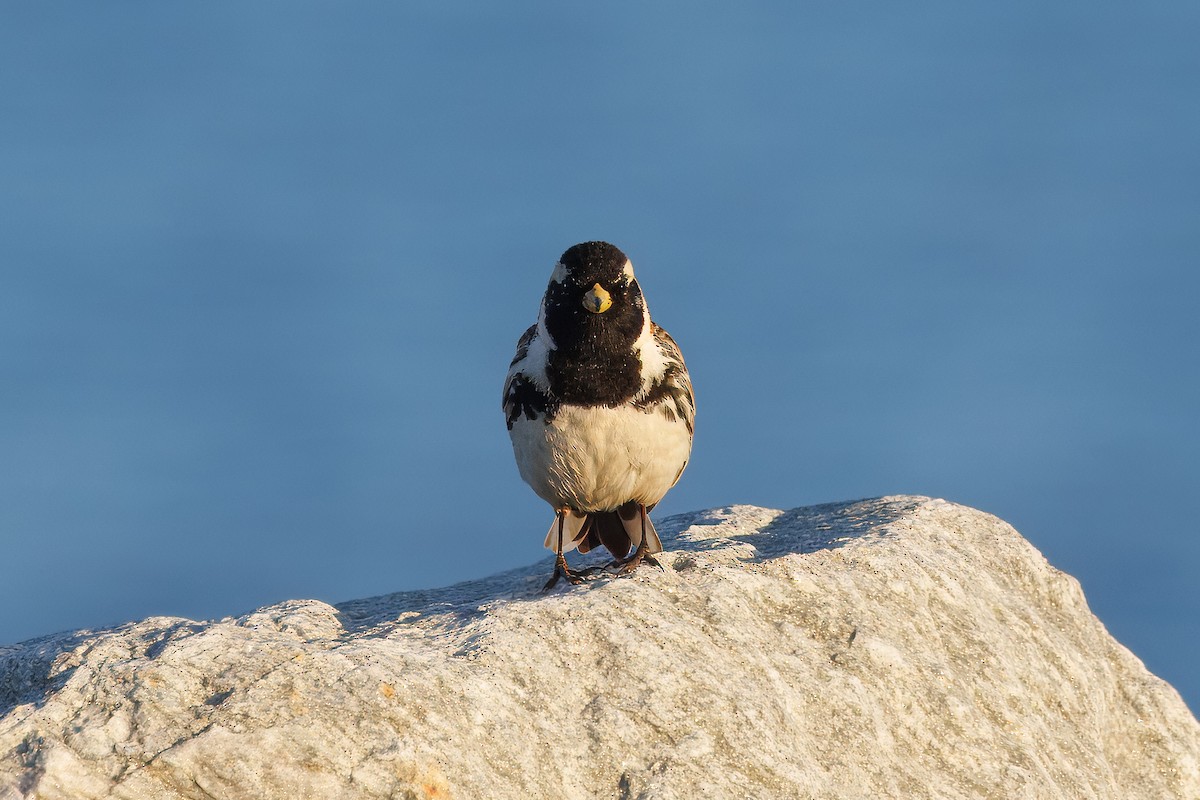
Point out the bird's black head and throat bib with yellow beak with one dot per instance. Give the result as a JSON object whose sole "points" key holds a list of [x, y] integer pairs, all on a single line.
{"points": [[595, 312]]}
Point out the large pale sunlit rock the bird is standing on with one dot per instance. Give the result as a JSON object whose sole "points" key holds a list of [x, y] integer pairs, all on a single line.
{"points": [[891, 648]]}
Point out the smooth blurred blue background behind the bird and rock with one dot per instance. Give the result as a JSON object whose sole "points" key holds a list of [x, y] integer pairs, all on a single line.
{"points": [[263, 268]]}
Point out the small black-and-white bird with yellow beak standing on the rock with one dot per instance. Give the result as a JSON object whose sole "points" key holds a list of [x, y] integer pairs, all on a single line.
{"points": [[601, 410]]}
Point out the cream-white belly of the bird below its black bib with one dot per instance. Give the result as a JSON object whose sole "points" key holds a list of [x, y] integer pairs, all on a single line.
{"points": [[598, 459]]}
